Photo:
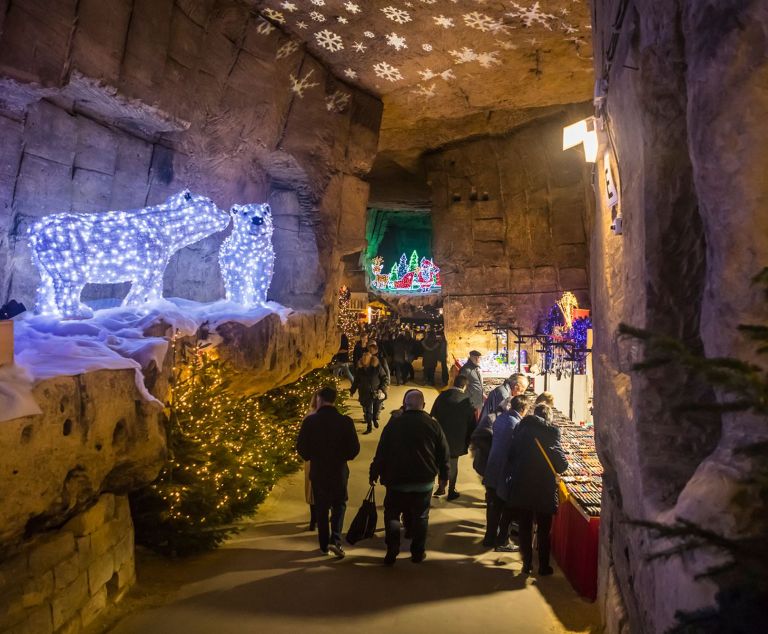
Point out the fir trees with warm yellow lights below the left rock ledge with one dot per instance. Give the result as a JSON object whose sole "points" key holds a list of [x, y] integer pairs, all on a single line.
{"points": [[225, 454]]}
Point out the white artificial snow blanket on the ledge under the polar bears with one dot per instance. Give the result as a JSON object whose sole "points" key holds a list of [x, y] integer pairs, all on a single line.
{"points": [[113, 339]]}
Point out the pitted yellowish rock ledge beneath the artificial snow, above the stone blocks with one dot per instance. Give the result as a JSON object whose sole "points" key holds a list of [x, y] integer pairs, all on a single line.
{"points": [[96, 434]]}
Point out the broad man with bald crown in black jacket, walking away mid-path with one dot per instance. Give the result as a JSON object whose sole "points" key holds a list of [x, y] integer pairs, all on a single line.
{"points": [[412, 450]]}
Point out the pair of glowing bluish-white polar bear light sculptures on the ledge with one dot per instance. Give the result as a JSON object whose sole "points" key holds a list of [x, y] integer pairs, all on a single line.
{"points": [[71, 250]]}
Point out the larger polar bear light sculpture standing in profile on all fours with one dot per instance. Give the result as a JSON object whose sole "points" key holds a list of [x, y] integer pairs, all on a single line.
{"points": [[74, 249]]}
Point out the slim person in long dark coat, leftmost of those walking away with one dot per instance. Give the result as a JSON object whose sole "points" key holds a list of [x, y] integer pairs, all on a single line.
{"points": [[327, 439]]}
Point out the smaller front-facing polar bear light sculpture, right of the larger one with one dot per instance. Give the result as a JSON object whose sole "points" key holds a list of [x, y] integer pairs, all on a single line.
{"points": [[246, 257]]}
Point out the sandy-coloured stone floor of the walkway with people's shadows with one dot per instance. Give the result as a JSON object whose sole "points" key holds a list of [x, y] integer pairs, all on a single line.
{"points": [[272, 578]]}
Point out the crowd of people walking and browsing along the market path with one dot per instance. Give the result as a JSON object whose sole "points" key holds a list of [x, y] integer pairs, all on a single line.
{"points": [[514, 443]]}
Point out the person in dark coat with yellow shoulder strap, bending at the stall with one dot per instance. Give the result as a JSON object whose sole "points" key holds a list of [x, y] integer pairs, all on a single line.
{"points": [[532, 485]]}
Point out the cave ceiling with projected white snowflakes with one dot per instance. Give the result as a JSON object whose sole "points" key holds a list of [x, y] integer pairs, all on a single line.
{"points": [[456, 60]]}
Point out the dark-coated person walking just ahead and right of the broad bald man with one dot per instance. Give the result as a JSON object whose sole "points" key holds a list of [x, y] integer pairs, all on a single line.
{"points": [[456, 417]]}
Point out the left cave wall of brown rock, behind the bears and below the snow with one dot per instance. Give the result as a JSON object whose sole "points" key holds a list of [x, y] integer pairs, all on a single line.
{"points": [[117, 104]]}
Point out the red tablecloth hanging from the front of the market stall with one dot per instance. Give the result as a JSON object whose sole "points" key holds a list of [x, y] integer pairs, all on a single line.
{"points": [[574, 545]]}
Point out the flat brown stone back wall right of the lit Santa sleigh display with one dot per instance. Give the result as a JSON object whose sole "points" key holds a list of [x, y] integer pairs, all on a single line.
{"points": [[510, 224]]}
